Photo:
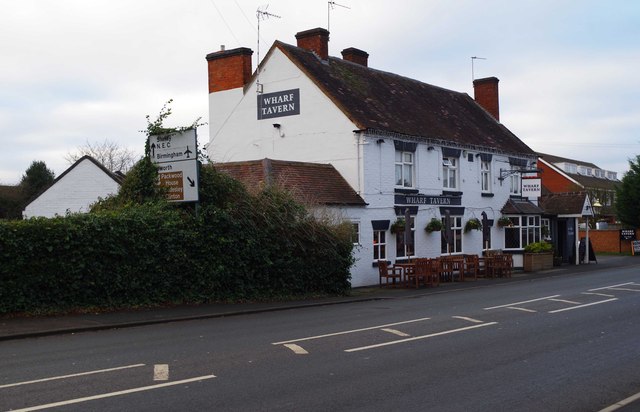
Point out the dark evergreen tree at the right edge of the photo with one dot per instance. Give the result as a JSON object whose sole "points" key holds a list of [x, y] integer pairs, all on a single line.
{"points": [[628, 195]]}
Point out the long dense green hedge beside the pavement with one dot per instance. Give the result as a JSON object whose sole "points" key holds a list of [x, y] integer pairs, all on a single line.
{"points": [[157, 254]]}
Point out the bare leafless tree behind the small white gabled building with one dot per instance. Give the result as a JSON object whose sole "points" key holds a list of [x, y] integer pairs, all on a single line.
{"points": [[112, 156]]}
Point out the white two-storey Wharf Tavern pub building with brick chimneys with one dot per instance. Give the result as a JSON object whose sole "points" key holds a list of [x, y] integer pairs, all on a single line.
{"points": [[374, 147]]}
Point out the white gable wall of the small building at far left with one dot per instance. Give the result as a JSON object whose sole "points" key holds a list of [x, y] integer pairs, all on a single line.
{"points": [[74, 192]]}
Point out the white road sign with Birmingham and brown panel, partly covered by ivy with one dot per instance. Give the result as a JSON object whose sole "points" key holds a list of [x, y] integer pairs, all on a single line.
{"points": [[176, 157]]}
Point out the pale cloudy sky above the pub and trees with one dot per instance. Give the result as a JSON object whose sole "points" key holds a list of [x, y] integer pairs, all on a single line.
{"points": [[74, 72]]}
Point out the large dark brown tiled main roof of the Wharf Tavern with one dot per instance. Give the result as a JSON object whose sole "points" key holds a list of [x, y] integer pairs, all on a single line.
{"points": [[380, 101]]}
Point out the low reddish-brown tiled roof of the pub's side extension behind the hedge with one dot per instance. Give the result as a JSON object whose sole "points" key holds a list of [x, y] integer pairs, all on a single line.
{"points": [[309, 182]]}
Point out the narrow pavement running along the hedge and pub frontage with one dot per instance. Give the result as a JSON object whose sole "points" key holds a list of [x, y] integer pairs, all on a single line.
{"points": [[21, 327]]}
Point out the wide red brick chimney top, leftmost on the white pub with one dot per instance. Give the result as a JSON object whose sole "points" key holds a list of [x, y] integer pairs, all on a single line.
{"points": [[229, 69]]}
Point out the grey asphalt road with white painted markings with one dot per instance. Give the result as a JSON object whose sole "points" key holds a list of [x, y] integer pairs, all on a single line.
{"points": [[565, 343]]}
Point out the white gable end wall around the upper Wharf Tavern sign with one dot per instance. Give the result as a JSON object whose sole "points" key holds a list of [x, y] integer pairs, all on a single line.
{"points": [[321, 133]]}
